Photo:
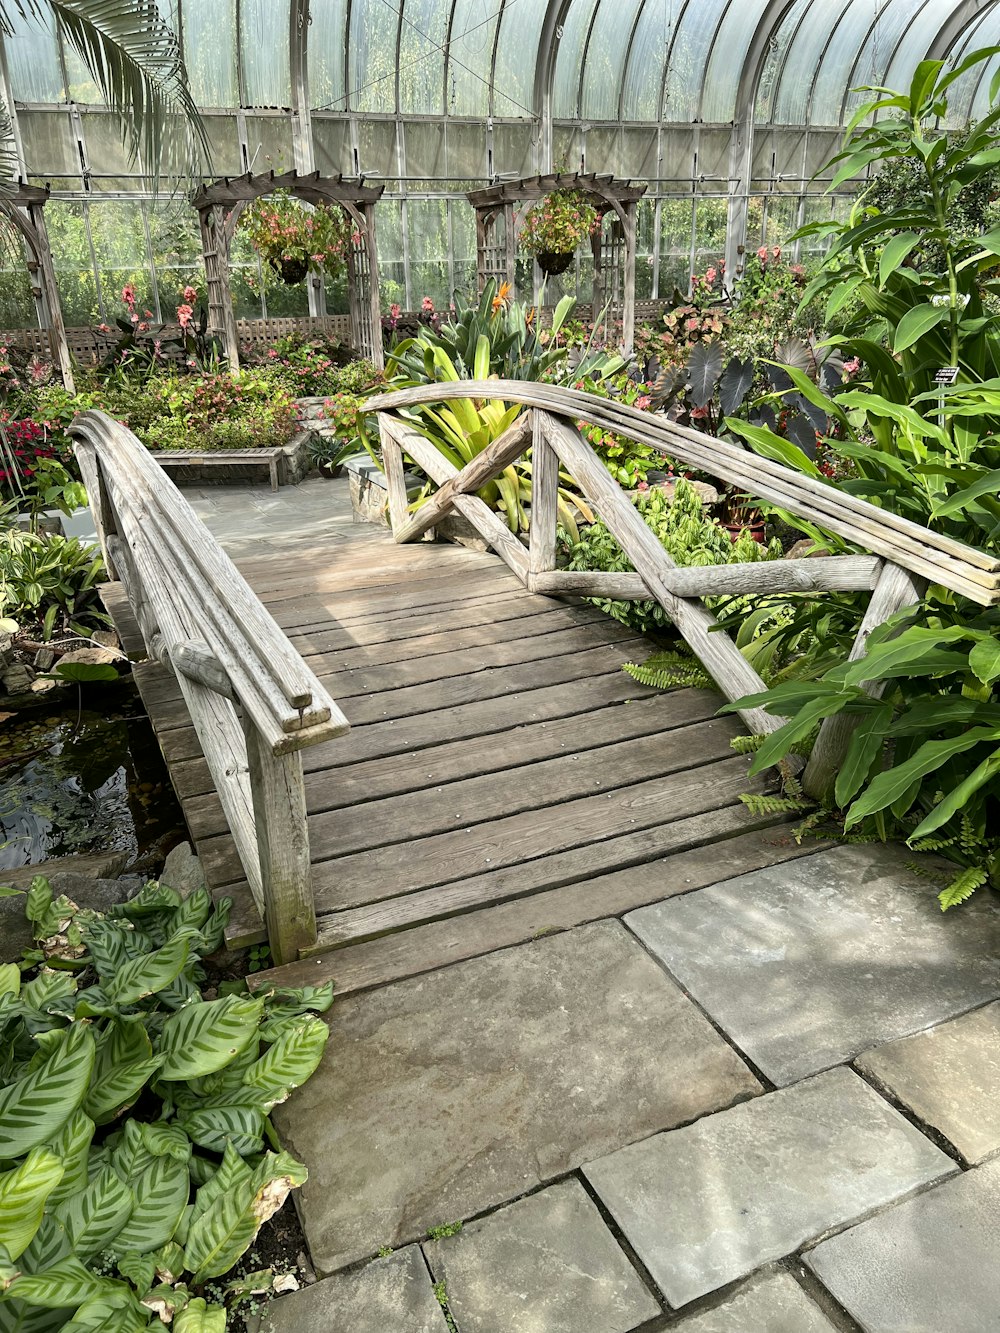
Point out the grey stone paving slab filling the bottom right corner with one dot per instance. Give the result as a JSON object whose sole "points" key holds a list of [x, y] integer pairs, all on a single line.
{"points": [[929, 1266]]}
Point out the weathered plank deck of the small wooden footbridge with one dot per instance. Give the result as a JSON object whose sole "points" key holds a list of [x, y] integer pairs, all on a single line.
{"points": [[503, 775]]}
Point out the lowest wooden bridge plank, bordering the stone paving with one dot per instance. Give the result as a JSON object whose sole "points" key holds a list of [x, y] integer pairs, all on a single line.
{"points": [[719, 856]]}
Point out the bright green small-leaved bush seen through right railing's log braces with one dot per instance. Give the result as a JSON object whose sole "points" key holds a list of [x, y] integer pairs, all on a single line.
{"points": [[686, 534]]}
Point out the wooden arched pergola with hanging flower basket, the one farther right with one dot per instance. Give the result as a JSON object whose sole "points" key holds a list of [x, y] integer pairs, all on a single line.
{"points": [[614, 247]]}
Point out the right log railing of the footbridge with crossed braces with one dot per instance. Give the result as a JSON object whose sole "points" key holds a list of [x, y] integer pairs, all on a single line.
{"points": [[897, 558]]}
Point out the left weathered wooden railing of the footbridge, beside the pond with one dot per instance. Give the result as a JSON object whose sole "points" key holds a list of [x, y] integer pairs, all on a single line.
{"points": [[253, 700]]}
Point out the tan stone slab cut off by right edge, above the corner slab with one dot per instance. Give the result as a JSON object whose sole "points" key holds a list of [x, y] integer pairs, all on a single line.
{"points": [[950, 1078]]}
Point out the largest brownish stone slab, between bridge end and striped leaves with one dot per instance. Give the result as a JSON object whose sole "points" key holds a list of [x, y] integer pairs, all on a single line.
{"points": [[446, 1095]]}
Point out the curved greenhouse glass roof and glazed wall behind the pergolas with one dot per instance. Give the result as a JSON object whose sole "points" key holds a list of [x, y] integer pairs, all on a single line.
{"points": [[727, 109]]}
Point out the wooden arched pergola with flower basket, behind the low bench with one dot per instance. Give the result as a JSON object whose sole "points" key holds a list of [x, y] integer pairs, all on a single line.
{"points": [[219, 209]]}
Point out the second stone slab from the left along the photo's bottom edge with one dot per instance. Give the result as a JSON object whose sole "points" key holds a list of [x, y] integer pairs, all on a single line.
{"points": [[546, 1264]]}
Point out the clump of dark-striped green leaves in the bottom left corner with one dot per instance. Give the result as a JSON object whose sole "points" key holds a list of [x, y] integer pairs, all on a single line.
{"points": [[135, 1168]]}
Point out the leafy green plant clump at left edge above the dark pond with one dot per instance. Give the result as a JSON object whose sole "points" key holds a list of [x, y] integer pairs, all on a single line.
{"points": [[50, 581]]}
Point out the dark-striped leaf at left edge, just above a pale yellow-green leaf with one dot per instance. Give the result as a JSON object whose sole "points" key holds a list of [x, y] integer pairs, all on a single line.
{"points": [[34, 1110]]}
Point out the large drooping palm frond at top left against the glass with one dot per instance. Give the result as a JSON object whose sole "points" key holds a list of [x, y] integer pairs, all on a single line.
{"points": [[135, 61]]}
